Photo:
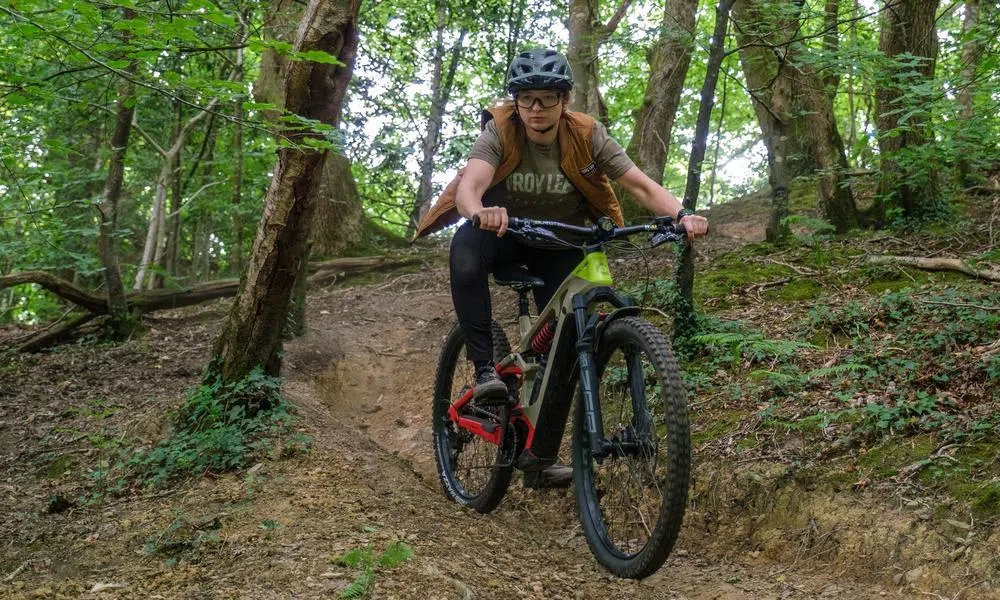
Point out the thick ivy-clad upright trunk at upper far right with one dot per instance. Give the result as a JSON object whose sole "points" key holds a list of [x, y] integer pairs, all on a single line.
{"points": [[909, 176]]}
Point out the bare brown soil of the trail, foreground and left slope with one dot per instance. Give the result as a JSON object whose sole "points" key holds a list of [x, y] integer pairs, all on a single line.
{"points": [[361, 379]]}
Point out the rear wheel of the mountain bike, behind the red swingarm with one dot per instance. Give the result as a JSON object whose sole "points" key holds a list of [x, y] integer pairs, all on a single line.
{"points": [[473, 471]]}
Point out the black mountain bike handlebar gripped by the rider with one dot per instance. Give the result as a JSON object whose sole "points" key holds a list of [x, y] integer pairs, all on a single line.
{"points": [[663, 229]]}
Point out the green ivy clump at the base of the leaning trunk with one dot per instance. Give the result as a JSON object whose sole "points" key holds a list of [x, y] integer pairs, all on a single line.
{"points": [[221, 427]]}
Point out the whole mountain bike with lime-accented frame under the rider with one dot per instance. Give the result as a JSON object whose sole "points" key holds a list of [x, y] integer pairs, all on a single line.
{"points": [[631, 442]]}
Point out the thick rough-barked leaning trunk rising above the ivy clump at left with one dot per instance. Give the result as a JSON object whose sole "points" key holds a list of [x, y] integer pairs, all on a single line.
{"points": [[251, 336]]}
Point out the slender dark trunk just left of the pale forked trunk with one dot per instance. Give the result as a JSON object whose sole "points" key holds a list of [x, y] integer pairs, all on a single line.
{"points": [[108, 208]]}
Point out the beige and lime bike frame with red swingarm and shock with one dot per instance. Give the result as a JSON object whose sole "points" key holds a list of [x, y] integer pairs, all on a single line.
{"points": [[577, 331]]}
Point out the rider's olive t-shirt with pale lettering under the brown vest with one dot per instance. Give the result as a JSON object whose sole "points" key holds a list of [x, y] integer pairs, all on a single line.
{"points": [[538, 189]]}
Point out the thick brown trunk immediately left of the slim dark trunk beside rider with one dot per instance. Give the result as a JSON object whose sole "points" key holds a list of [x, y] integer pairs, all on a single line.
{"points": [[669, 61]]}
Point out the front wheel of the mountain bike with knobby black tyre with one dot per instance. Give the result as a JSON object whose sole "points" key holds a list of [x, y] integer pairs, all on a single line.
{"points": [[632, 500]]}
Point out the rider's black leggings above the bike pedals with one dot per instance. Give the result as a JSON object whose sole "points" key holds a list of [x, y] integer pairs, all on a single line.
{"points": [[475, 253]]}
